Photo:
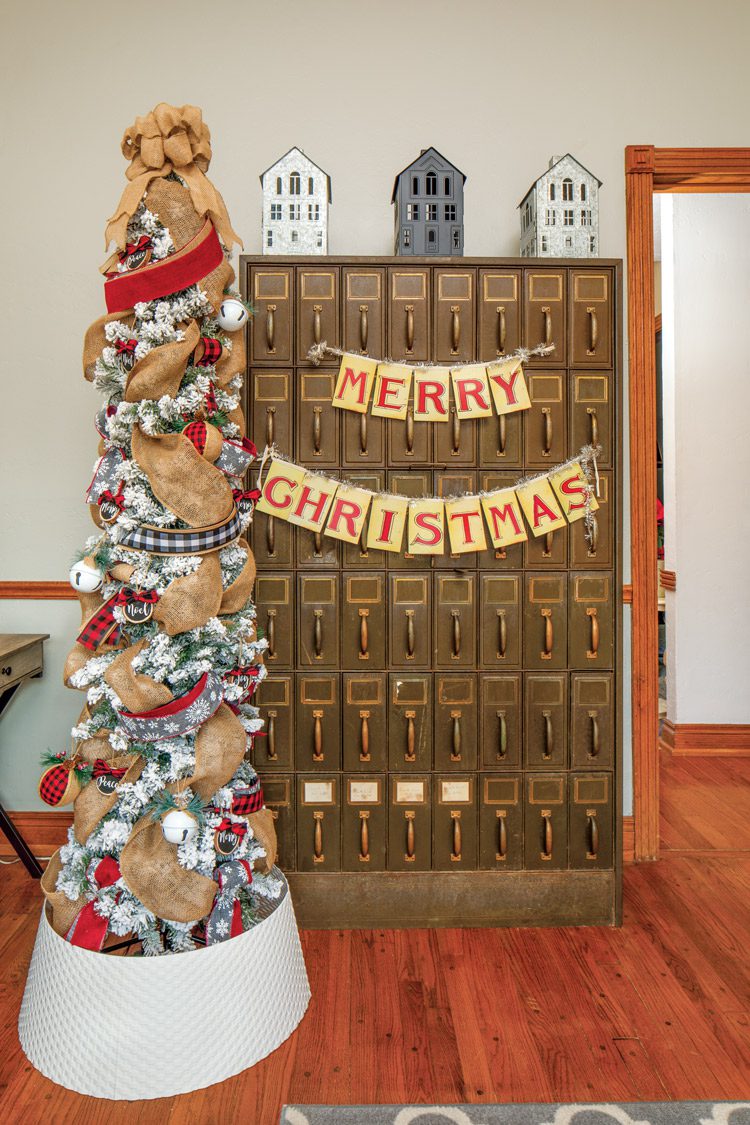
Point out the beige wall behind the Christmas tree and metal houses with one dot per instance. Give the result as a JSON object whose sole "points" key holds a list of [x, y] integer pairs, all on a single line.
{"points": [[499, 86]]}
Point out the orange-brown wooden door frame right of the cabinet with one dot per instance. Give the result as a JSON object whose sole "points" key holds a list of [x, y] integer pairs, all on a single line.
{"points": [[650, 170]]}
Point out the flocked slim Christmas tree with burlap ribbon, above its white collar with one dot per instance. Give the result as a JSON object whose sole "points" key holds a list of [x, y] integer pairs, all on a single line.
{"points": [[170, 841]]}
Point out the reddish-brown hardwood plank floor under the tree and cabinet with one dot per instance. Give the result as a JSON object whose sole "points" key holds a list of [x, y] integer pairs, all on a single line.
{"points": [[657, 1011]]}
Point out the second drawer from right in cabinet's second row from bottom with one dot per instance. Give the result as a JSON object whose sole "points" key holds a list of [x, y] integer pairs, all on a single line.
{"points": [[546, 721]]}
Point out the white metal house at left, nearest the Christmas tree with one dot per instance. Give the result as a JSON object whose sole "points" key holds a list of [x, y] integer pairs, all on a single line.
{"points": [[296, 197]]}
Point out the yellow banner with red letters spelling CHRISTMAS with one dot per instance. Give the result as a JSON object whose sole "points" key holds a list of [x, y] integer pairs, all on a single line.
{"points": [[431, 526]]}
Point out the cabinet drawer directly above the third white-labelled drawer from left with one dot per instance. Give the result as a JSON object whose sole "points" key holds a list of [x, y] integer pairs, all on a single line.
{"points": [[410, 722]]}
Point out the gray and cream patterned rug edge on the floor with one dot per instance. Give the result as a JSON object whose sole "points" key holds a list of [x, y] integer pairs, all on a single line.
{"points": [[635, 1113]]}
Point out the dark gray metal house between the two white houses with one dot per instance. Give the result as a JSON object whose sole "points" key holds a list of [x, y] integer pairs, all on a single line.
{"points": [[429, 197]]}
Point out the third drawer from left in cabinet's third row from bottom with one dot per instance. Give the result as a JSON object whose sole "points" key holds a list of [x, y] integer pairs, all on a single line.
{"points": [[364, 620]]}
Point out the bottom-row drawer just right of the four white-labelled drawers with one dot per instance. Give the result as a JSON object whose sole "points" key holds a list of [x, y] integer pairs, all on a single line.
{"points": [[501, 822]]}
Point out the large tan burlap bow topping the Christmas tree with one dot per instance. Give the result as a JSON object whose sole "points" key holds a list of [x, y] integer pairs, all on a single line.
{"points": [[169, 139]]}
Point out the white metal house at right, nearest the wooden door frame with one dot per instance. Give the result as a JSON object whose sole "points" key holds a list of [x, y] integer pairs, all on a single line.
{"points": [[561, 213]]}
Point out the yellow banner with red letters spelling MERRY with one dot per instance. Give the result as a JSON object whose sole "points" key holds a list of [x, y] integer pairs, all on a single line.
{"points": [[387, 390]]}
